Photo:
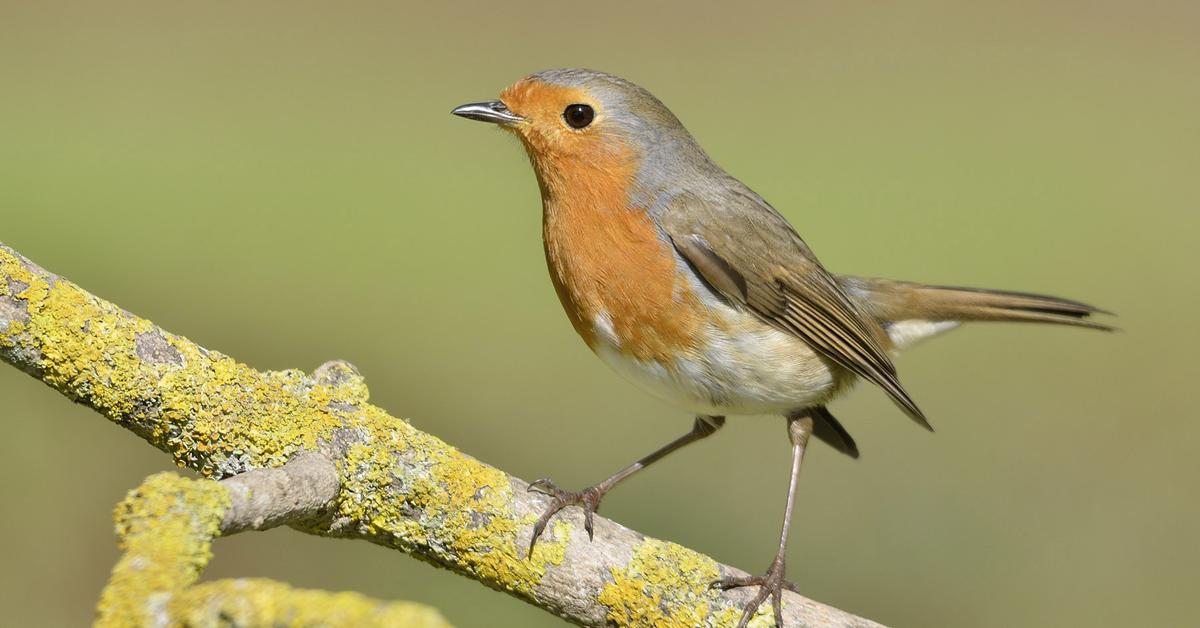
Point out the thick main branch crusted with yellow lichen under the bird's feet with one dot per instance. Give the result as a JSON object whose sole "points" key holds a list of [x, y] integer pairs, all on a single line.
{"points": [[398, 487]]}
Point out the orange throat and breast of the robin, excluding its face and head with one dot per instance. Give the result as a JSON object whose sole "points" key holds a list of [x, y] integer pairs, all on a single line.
{"points": [[607, 260]]}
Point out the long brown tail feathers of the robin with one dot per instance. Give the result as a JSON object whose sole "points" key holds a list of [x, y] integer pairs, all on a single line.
{"points": [[901, 301]]}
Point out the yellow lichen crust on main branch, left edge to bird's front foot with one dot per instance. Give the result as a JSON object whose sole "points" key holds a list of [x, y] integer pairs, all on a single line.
{"points": [[400, 487]]}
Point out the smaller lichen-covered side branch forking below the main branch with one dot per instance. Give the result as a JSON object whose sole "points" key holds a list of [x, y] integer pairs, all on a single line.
{"points": [[167, 528]]}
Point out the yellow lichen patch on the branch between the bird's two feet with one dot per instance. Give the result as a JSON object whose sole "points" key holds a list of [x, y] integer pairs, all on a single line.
{"points": [[664, 585]]}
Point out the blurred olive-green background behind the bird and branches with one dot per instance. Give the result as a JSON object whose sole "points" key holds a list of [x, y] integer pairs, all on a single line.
{"points": [[284, 183]]}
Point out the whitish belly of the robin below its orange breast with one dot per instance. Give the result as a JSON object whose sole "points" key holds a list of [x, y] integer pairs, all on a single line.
{"points": [[746, 368]]}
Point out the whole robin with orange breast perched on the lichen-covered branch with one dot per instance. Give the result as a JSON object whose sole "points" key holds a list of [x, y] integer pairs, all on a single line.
{"points": [[692, 286]]}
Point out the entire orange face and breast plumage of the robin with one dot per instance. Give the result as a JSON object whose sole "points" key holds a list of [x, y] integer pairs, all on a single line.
{"points": [[605, 258]]}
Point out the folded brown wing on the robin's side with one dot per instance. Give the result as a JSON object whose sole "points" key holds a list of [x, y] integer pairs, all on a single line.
{"points": [[751, 254]]}
